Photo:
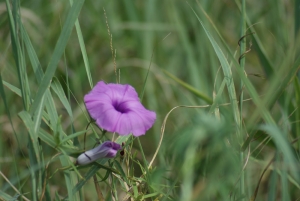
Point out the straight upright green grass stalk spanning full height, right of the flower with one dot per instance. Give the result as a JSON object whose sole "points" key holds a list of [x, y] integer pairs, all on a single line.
{"points": [[242, 65]]}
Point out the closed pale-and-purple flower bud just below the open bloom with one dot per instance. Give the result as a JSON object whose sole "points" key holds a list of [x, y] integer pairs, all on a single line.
{"points": [[107, 149]]}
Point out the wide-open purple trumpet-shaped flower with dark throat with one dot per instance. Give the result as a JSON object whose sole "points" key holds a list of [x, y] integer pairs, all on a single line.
{"points": [[117, 108]]}
